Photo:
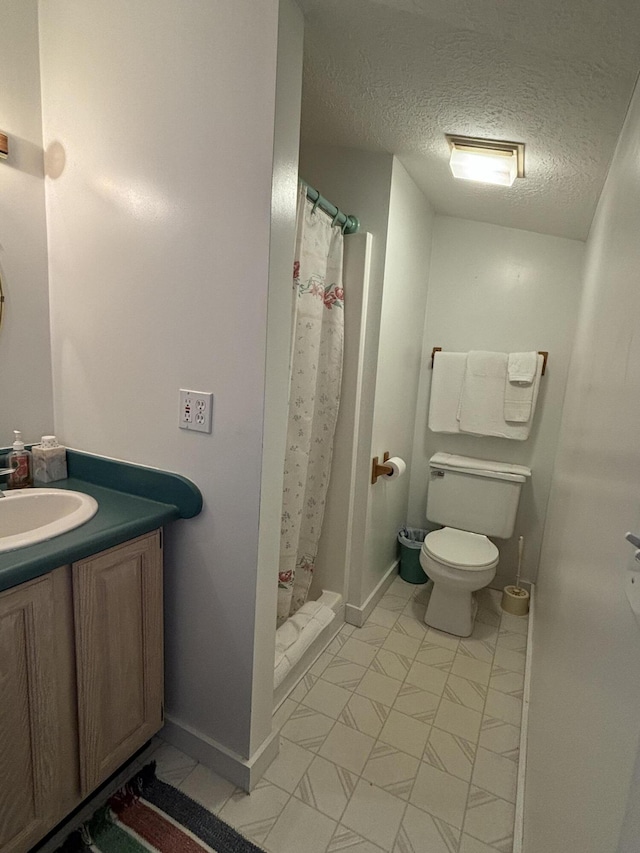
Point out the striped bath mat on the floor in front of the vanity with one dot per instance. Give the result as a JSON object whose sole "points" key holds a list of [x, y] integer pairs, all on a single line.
{"points": [[148, 815]]}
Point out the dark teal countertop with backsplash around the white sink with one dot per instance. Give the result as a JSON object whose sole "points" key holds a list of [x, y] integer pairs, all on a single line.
{"points": [[132, 500]]}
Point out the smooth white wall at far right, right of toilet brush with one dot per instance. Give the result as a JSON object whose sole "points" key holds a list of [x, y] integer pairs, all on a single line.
{"points": [[584, 721]]}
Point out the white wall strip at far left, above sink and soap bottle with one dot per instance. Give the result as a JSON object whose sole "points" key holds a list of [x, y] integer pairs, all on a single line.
{"points": [[25, 351]]}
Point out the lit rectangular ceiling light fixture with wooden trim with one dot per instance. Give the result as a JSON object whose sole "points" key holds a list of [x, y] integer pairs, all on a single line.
{"points": [[489, 161]]}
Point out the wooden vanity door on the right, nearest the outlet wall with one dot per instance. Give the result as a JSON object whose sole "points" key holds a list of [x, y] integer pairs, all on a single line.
{"points": [[118, 618]]}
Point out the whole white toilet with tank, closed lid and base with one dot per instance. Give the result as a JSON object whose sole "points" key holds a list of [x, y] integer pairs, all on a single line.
{"points": [[472, 499]]}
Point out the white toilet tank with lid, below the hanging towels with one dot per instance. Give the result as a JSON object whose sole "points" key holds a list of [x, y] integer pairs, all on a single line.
{"points": [[477, 495]]}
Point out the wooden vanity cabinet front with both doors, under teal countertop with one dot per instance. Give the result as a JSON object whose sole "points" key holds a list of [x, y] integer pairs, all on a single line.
{"points": [[81, 682]]}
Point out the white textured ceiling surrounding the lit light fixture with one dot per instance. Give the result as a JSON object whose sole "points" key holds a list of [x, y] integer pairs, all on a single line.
{"points": [[396, 75]]}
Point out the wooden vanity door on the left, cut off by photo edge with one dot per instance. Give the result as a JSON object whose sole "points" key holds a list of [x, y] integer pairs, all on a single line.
{"points": [[28, 715]]}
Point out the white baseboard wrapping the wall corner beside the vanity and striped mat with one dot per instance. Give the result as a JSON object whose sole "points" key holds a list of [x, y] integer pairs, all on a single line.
{"points": [[243, 772]]}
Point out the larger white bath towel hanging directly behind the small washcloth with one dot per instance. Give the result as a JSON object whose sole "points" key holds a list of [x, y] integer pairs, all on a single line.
{"points": [[481, 408]]}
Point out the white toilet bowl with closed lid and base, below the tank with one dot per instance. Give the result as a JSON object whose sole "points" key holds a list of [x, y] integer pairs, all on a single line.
{"points": [[459, 563]]}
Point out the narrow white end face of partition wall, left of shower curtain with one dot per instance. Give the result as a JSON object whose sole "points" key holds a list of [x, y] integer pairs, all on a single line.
{"points": [[276, 411]]}
